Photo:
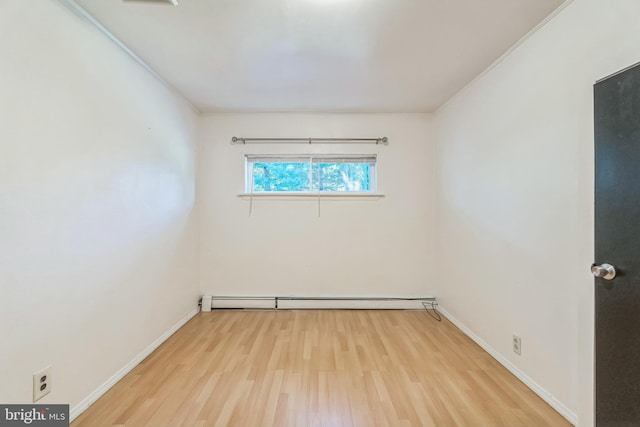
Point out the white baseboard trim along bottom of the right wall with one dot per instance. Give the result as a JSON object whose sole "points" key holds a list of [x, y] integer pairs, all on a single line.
{"points": [[535, 387]]}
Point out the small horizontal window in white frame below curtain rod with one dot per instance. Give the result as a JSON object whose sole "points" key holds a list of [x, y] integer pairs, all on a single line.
{"points": [[311, 174]]}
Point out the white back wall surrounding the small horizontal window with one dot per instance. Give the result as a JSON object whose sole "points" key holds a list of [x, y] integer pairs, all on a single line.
{"points": [[373, 247]]}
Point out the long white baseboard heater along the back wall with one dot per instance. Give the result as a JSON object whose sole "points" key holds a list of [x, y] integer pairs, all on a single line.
{"points": [[295, 303]]}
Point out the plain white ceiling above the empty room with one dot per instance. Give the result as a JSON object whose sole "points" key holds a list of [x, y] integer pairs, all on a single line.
{"points": [[320, 55]]}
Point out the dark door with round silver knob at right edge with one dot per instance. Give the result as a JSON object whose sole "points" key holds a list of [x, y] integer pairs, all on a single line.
{"points": [[617, 243]]}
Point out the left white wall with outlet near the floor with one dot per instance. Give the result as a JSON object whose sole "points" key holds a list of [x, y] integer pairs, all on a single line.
{"points": [[97, 237]]}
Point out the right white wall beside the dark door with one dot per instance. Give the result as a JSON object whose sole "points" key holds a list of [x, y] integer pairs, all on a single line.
{"points": [[515, 196]]}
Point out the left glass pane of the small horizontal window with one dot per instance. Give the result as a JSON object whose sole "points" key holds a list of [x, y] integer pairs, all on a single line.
{"points": [[280, 176]]}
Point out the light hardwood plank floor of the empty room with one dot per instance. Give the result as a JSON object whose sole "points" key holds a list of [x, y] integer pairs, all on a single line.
{"points": [[319, 368]]}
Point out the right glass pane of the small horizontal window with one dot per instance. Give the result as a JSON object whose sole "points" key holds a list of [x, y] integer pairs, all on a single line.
{"points": [[341, 176]]}
